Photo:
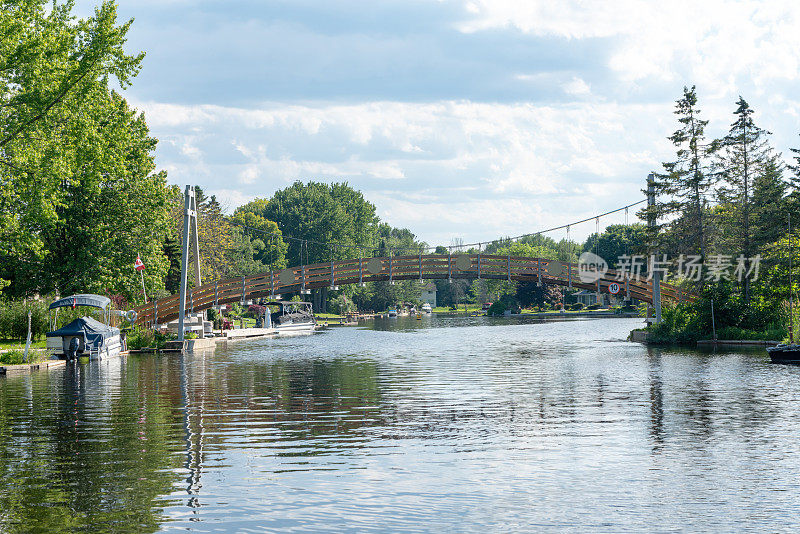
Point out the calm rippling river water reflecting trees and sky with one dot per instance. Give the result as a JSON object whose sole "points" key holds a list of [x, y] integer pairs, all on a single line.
{"points": [[422, 426]]}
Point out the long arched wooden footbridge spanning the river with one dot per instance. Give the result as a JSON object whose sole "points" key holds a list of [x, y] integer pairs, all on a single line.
{"points": [[421, 267]]}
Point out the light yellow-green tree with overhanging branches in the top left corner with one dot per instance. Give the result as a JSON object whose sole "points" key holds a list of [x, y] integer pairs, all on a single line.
{"points": [[53, 69]]}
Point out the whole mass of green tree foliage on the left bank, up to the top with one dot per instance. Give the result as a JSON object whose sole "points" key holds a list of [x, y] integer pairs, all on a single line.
{"points": [[79, 195]]}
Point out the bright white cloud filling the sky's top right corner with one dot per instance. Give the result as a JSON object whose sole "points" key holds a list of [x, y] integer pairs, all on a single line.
{"points": [[711, 43]]}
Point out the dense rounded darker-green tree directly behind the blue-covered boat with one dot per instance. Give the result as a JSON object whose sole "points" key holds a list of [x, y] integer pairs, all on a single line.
{"points": [[109, 206]]}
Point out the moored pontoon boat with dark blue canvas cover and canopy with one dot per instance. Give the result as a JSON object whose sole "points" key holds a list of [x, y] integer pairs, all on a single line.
{"points": [[84, 336]]}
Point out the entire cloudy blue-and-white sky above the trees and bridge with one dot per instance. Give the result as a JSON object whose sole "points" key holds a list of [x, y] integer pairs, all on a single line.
{"points": [[471, 119]]}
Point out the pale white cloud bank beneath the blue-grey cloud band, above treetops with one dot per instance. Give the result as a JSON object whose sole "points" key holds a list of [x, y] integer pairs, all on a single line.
{"points": [[501, 169]]}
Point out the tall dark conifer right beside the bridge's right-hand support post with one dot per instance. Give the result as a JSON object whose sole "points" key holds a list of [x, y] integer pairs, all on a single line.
{"points": [[682, 188]]}
